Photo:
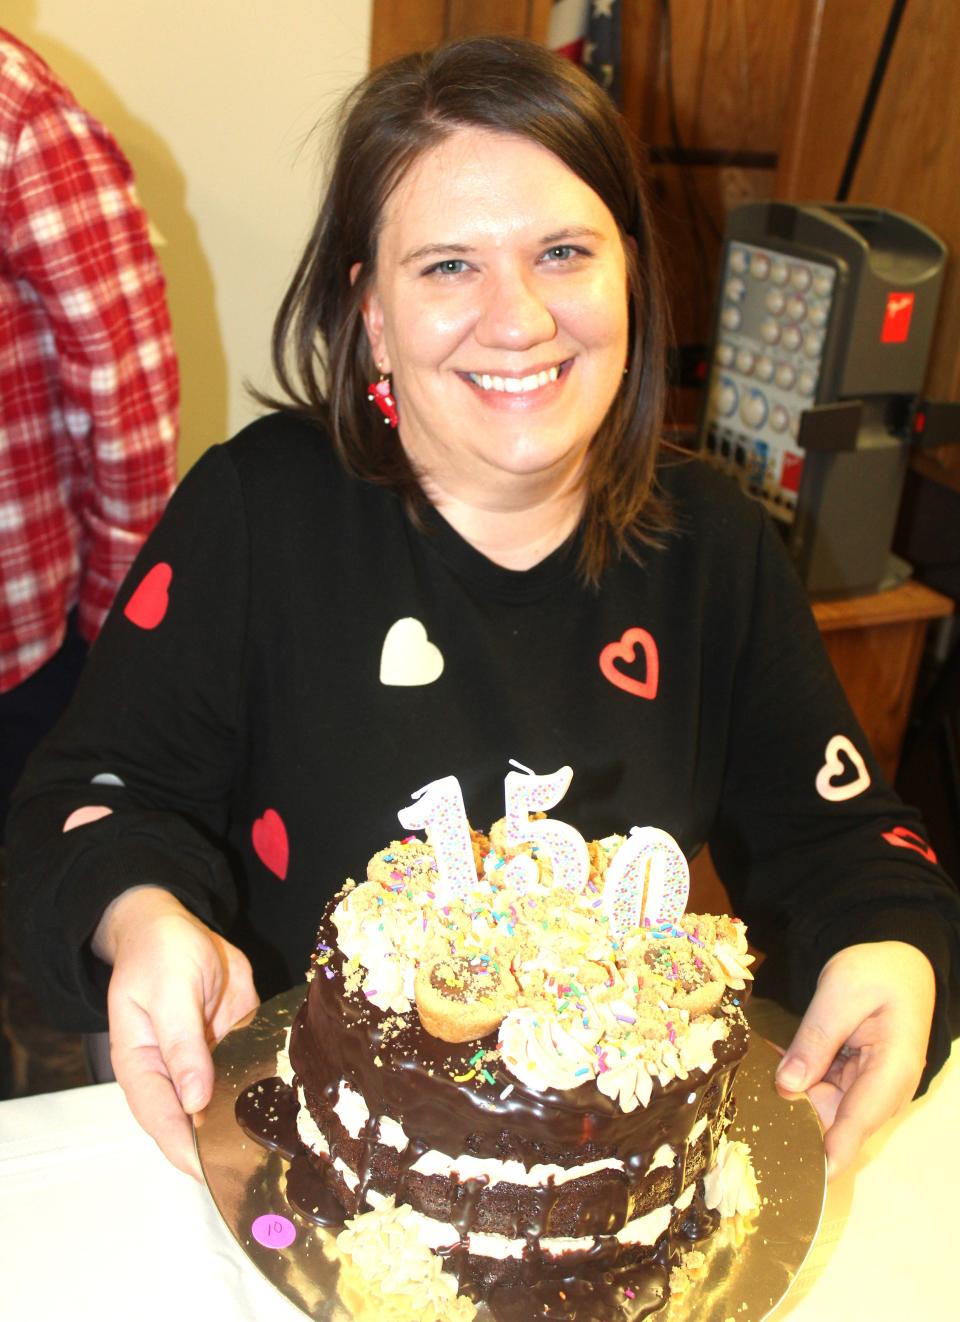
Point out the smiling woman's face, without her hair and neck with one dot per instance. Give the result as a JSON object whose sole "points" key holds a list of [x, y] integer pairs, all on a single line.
{"points": [[499, 306]]}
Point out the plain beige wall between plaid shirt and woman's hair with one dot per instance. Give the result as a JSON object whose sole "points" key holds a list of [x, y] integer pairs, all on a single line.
{"points": [[214, 102]]}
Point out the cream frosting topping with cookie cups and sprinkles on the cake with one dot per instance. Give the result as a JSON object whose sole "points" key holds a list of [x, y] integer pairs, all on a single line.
{"points": [[576, 1005]]}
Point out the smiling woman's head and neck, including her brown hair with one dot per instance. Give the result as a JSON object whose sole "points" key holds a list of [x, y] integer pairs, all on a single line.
{"points": [[486, 225]]}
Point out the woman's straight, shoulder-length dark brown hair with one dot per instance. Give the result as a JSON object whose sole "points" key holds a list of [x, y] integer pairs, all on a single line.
{"points": [[397, 113]]}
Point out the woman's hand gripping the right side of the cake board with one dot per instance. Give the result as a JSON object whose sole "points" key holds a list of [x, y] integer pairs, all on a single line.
{"points": [[863, 1045]]}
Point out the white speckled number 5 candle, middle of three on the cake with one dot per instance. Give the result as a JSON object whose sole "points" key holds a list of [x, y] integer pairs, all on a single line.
{"points": [[526, 794]]}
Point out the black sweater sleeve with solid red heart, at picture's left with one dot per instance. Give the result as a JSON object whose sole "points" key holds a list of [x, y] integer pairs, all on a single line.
{"points": [[147, 748]]}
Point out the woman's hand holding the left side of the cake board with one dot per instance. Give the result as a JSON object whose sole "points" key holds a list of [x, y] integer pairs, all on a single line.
{"points": [[175, 991]]}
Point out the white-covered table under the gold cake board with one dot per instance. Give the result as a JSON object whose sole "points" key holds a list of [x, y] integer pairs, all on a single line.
{"points": [[96, 1225]]}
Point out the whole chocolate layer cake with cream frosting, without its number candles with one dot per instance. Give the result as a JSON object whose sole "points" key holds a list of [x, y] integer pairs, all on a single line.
{"points": [[544, 1093]]}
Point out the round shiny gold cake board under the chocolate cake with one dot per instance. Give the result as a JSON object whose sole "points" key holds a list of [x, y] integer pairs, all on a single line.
{"points": [[748, 1270]]}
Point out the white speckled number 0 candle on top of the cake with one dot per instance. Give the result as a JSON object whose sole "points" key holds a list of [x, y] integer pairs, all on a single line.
{"points": [[647, 878]]}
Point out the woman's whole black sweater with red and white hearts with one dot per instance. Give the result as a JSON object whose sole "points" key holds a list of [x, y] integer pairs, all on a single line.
{"points": [[292, 659]]}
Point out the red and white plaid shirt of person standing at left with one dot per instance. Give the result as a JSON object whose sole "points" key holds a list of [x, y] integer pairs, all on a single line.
{"points": [[89, 388]]}
